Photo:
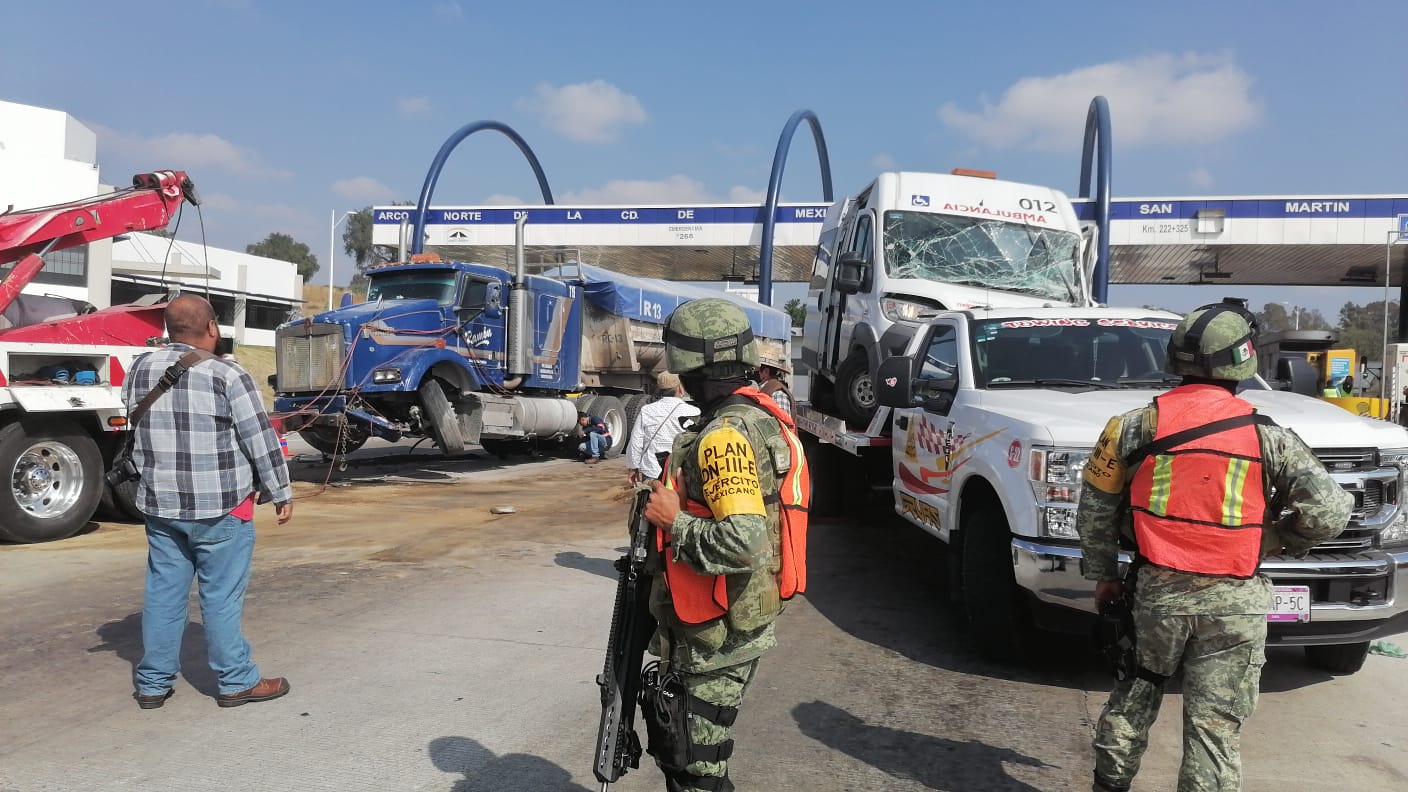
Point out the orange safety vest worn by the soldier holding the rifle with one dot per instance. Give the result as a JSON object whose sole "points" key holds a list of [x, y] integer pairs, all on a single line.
{"points": [[703, 598]]}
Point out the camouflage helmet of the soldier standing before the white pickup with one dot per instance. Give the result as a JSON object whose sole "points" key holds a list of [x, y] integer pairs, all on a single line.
{"points": [[1214, 342]]}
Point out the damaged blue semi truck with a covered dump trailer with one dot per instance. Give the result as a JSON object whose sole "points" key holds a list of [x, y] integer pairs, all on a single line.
{"points": [[479, 354]]}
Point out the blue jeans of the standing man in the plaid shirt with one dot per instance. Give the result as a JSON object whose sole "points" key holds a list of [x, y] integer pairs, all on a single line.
{"points": [[218, 553]]}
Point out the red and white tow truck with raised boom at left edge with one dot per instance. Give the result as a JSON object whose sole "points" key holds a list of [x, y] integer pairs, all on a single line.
{"points": [[63, 363]]}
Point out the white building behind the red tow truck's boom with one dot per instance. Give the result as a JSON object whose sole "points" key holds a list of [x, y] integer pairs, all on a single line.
{"points": [[49, 157]]}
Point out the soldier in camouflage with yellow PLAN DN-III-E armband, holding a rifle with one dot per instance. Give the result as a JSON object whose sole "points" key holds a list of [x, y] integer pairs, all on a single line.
{"points": [[727, 467]]}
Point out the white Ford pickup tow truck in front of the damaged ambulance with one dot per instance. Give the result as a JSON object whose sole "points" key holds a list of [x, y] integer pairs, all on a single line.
{"points": [[988, 419]]}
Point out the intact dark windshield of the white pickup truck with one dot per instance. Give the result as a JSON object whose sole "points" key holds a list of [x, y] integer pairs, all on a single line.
{"points": [[1105, 352]]}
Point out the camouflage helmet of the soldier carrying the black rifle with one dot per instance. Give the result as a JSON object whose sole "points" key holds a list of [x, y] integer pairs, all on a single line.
{"points": [[710, 333]]}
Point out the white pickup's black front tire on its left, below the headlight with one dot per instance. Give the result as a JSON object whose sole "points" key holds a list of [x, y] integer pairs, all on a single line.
{"points": [[996, 612]]}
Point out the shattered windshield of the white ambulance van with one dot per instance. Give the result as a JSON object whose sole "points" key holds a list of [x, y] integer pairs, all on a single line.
{"points": [[975, 252]]}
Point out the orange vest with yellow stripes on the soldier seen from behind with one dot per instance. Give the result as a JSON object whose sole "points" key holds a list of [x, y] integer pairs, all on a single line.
{"points": [[1199, 500]]}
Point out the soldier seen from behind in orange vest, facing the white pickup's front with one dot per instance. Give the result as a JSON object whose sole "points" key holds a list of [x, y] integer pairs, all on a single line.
{"points": [[1210, 625]]}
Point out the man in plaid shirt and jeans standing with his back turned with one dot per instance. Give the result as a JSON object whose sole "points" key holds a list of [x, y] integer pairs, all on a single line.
{"points": [[205, 452]]}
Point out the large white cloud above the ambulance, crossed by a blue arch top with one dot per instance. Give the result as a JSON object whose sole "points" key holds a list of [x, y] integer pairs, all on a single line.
{"points": [[1157, 99]]}
